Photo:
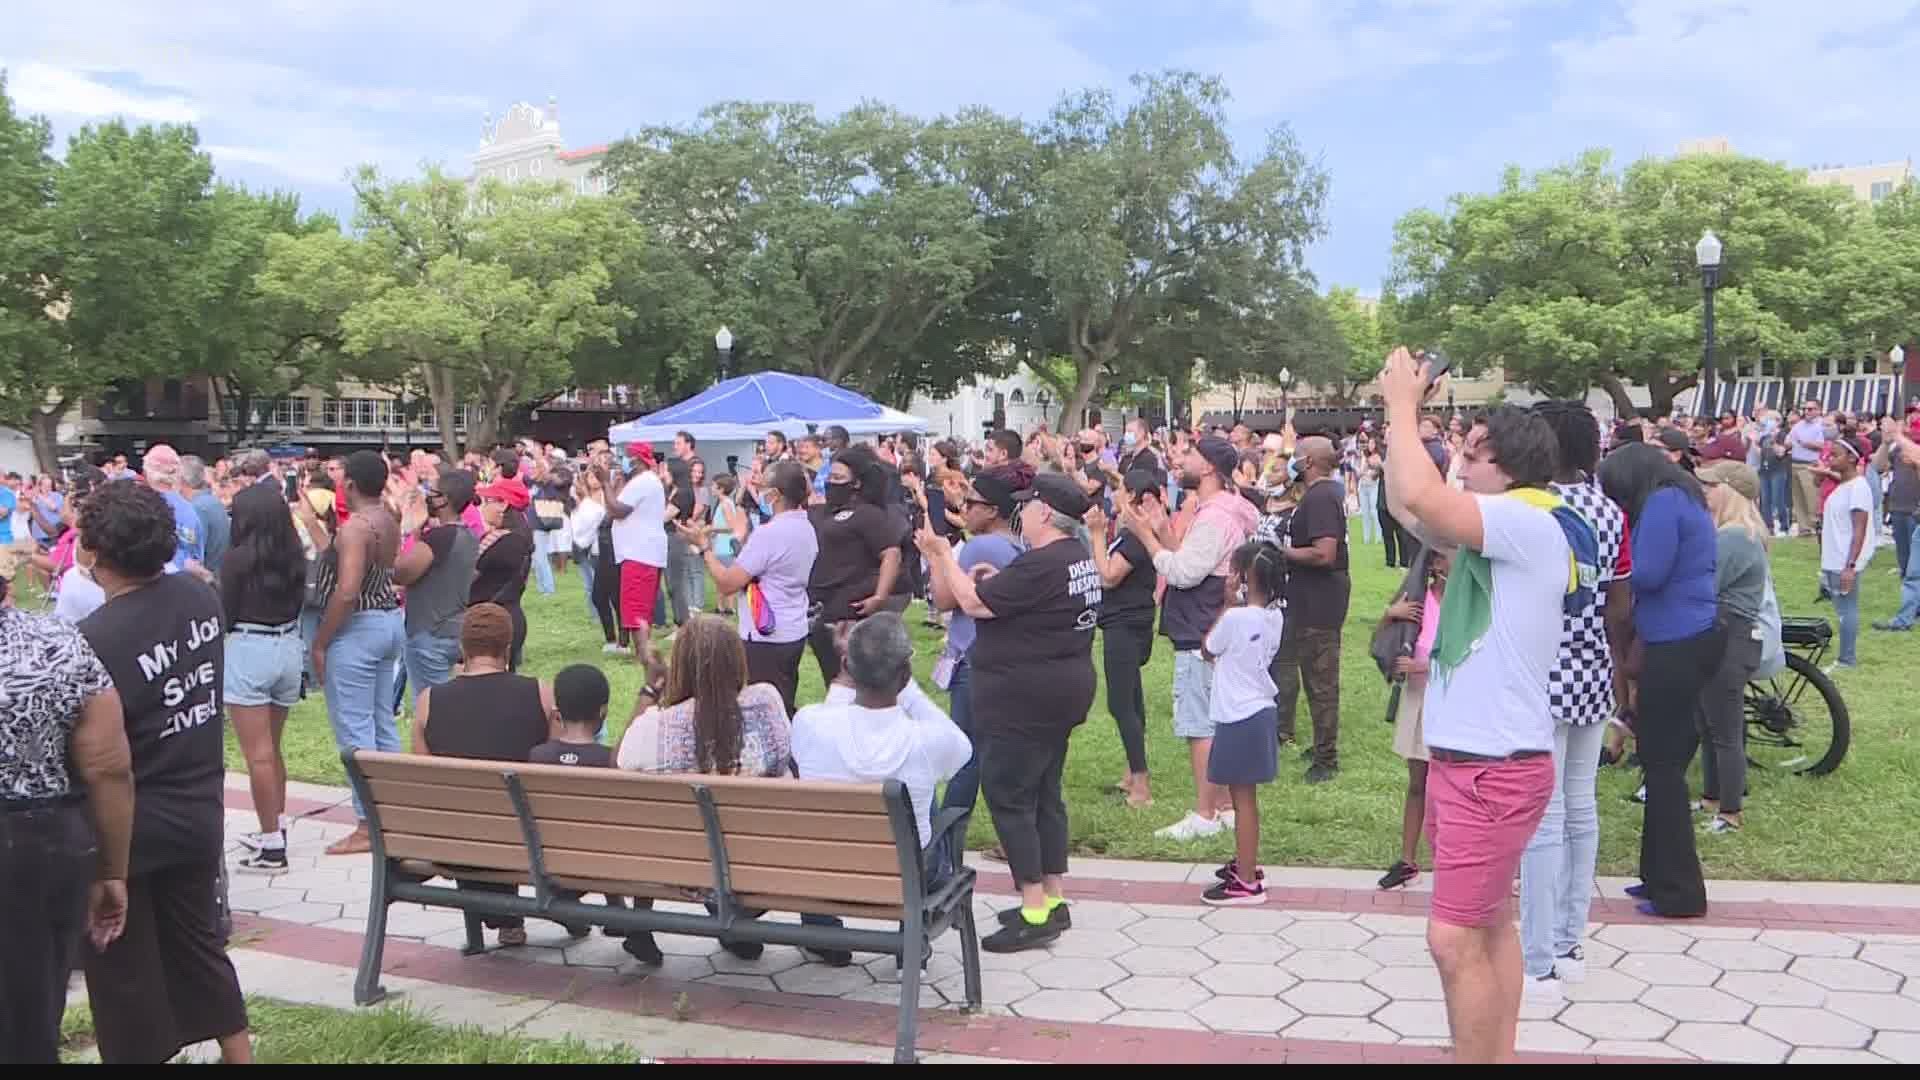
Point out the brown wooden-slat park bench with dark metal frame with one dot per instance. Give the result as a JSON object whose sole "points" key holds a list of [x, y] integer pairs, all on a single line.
{"points": [[750, 845]]}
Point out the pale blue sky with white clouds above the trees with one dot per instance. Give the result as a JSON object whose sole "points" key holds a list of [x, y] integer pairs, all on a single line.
{"points": [[1404, 101]]}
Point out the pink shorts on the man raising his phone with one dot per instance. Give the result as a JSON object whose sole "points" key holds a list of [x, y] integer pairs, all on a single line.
{"points": [[1479, 822]]}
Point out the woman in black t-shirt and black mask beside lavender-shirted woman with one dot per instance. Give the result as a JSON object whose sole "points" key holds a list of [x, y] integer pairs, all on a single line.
{"points": [[859, 551]]}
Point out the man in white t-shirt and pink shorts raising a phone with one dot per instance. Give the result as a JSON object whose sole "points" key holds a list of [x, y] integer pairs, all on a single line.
{"points": [[1487, 716]]}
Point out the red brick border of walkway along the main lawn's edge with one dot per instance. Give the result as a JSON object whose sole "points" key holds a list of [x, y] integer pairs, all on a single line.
{"points": [[1764, 916]]}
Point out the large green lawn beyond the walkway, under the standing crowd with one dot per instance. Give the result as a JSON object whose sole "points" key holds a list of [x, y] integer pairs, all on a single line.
{"points": [[1798, 829]]}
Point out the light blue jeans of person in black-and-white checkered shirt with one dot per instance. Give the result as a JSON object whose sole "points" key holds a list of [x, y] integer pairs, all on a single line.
{"points": [[1558, 868]]}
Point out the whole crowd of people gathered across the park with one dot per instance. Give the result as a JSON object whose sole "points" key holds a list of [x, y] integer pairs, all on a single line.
{"points": [[1570, 587]]}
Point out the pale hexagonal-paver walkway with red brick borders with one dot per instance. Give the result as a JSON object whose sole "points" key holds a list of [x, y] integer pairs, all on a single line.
{"points": [[1328, 971]]}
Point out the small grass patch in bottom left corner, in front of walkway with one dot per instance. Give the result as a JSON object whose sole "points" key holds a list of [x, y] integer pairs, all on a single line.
{"points": [[391, 1035]]}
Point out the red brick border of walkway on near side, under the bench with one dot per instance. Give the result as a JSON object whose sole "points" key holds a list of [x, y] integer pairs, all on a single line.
{"points": [[830, 1018]]}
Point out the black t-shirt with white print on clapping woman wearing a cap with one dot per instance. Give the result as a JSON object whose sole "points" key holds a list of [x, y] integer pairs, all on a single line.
{"points": [[1034, 660]]}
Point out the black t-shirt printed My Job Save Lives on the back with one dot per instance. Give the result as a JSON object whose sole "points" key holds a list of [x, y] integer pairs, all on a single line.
{"points": [[166, 650]]}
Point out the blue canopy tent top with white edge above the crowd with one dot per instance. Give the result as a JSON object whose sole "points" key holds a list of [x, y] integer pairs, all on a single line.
{"points": [[750, 406]]}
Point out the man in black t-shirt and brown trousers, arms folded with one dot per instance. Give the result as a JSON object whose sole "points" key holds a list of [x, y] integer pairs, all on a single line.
{"points": [[1318, 591]]}
